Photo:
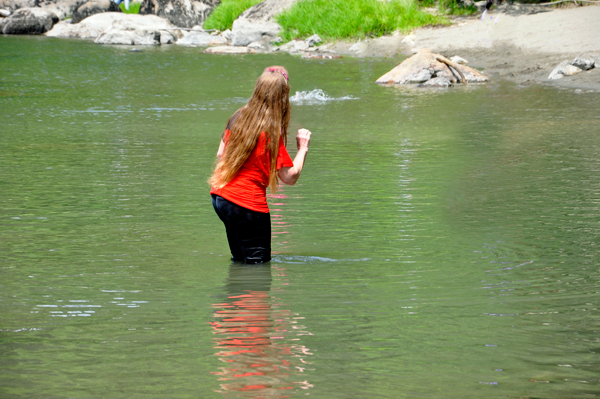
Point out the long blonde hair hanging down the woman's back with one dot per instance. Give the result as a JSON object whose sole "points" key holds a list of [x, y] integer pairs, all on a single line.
{"points": [[268, 110]]}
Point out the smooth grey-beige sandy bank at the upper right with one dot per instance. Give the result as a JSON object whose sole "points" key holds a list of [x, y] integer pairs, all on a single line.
{"points": [[509, 43]]}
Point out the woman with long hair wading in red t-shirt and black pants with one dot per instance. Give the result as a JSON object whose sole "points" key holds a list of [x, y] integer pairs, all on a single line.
{"points": [[252, 156]]}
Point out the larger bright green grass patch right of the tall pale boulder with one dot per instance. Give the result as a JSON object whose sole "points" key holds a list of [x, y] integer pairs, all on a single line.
{"points": [[339, 19]]}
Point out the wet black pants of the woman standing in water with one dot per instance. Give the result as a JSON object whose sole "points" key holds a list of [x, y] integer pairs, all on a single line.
{"points": [[248, 232]]}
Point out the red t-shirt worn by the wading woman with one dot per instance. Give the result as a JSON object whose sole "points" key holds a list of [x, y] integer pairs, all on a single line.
{"points": [[249, 187]]}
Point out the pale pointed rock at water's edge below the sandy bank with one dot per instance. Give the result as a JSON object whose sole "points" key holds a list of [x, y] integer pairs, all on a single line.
{"points": [[426, 65]]}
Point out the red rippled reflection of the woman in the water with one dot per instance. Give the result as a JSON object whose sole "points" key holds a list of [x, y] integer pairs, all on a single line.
{"points": [[257, 339]]}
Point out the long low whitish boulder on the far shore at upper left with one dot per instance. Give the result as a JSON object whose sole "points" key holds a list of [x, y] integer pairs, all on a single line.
{"points": [[92, 27]]}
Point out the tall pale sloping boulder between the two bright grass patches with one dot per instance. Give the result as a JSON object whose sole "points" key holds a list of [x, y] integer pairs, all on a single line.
{"points": [[258, 21]]}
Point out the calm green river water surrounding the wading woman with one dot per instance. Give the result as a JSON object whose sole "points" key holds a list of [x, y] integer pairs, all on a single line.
{"points": [[440, 243]]}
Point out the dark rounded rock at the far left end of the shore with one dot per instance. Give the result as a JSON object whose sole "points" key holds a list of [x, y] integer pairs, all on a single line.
{"points": [[29, 21]]}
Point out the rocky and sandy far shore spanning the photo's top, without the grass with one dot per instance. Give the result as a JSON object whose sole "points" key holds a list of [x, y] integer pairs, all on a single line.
{"points": [[525, 44]]}
